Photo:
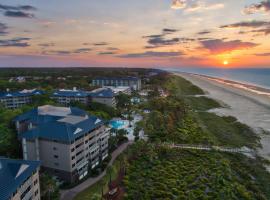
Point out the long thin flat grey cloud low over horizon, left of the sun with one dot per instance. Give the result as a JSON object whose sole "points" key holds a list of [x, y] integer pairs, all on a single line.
{"points": [[152, 54]]}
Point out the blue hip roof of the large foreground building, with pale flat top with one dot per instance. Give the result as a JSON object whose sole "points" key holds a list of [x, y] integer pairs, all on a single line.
{"points": [[64, 126]]}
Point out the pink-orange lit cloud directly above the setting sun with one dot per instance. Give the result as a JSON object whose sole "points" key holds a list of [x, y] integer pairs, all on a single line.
{"points": [[218, 46]]}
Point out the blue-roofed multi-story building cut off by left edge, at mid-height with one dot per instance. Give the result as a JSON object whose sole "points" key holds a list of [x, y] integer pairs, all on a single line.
{"points": [[18, 99]]}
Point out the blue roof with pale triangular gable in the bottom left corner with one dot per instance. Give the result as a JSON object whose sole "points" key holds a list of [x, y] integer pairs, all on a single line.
{"points": [[13, 173]]}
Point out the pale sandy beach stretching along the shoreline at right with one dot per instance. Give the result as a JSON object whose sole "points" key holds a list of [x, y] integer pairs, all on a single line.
{"points": [[248, 106]]}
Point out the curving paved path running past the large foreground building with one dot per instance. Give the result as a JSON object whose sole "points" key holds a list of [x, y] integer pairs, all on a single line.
{"points": [[71, 193]]}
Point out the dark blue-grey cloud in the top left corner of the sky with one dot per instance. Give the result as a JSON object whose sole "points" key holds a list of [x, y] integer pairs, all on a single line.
{"points": [[18, 11]]}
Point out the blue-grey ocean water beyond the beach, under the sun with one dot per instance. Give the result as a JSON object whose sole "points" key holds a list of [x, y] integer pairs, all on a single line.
{"points": [[257, 77]]}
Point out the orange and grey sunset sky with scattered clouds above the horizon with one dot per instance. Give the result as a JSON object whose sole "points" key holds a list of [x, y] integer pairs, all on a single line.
{"points": [[135, 33]]}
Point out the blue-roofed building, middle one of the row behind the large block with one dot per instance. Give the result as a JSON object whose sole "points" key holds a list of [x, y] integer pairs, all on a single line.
{"points": [[65, 97]]}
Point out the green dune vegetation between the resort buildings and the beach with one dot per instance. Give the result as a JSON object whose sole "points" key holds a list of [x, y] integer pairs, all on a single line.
{"points": [[156, 171]]}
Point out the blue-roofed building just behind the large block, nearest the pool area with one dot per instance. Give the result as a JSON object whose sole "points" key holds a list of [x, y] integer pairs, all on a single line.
{"points": [[103, 95]]}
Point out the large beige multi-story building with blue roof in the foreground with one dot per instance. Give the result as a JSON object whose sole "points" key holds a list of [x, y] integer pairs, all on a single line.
{"points": [[66, 140]]}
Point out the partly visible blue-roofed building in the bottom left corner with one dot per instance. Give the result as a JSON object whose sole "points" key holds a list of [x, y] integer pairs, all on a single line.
{"points": [[19, 179]]}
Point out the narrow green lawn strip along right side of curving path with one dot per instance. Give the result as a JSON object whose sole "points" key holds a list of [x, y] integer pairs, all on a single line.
{"points": [[94, 191]]}
